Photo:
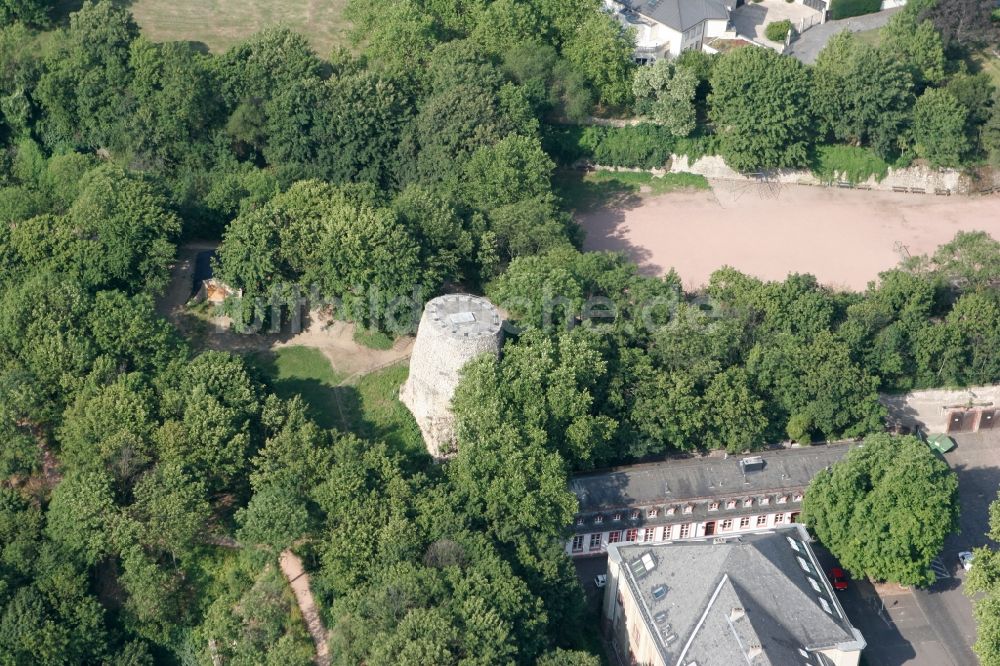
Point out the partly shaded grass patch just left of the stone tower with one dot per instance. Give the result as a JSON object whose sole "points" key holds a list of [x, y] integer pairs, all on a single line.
{"points": [[369, 409]]}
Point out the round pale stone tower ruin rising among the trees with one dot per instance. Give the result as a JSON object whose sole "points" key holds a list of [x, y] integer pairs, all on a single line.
{"points": [[454, 329]]}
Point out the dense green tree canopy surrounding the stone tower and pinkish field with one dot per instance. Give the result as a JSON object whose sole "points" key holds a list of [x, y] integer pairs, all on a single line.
{"points": [[147, 483]]}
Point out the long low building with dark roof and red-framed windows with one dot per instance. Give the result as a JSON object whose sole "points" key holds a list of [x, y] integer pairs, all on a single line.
{"points": [[694, 498]]}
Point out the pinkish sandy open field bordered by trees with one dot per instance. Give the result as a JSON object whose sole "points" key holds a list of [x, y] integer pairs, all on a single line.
{"points": [[843, 237]]}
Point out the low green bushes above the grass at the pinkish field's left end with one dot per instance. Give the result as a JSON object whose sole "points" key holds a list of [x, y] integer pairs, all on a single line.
{"points": [[644, 146]]}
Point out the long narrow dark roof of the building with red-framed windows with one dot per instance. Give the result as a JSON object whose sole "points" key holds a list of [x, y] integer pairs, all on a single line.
{"points": [[706, 477]]}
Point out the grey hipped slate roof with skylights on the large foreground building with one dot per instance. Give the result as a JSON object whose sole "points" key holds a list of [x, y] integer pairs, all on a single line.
{"points": [[724, 599]]}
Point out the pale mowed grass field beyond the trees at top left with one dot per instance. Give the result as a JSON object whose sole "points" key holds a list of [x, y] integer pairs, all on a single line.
{"points": [[218, 24]]}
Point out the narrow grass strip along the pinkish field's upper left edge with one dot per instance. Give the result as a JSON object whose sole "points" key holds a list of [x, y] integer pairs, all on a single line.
{"points": [[585, 191]]}
